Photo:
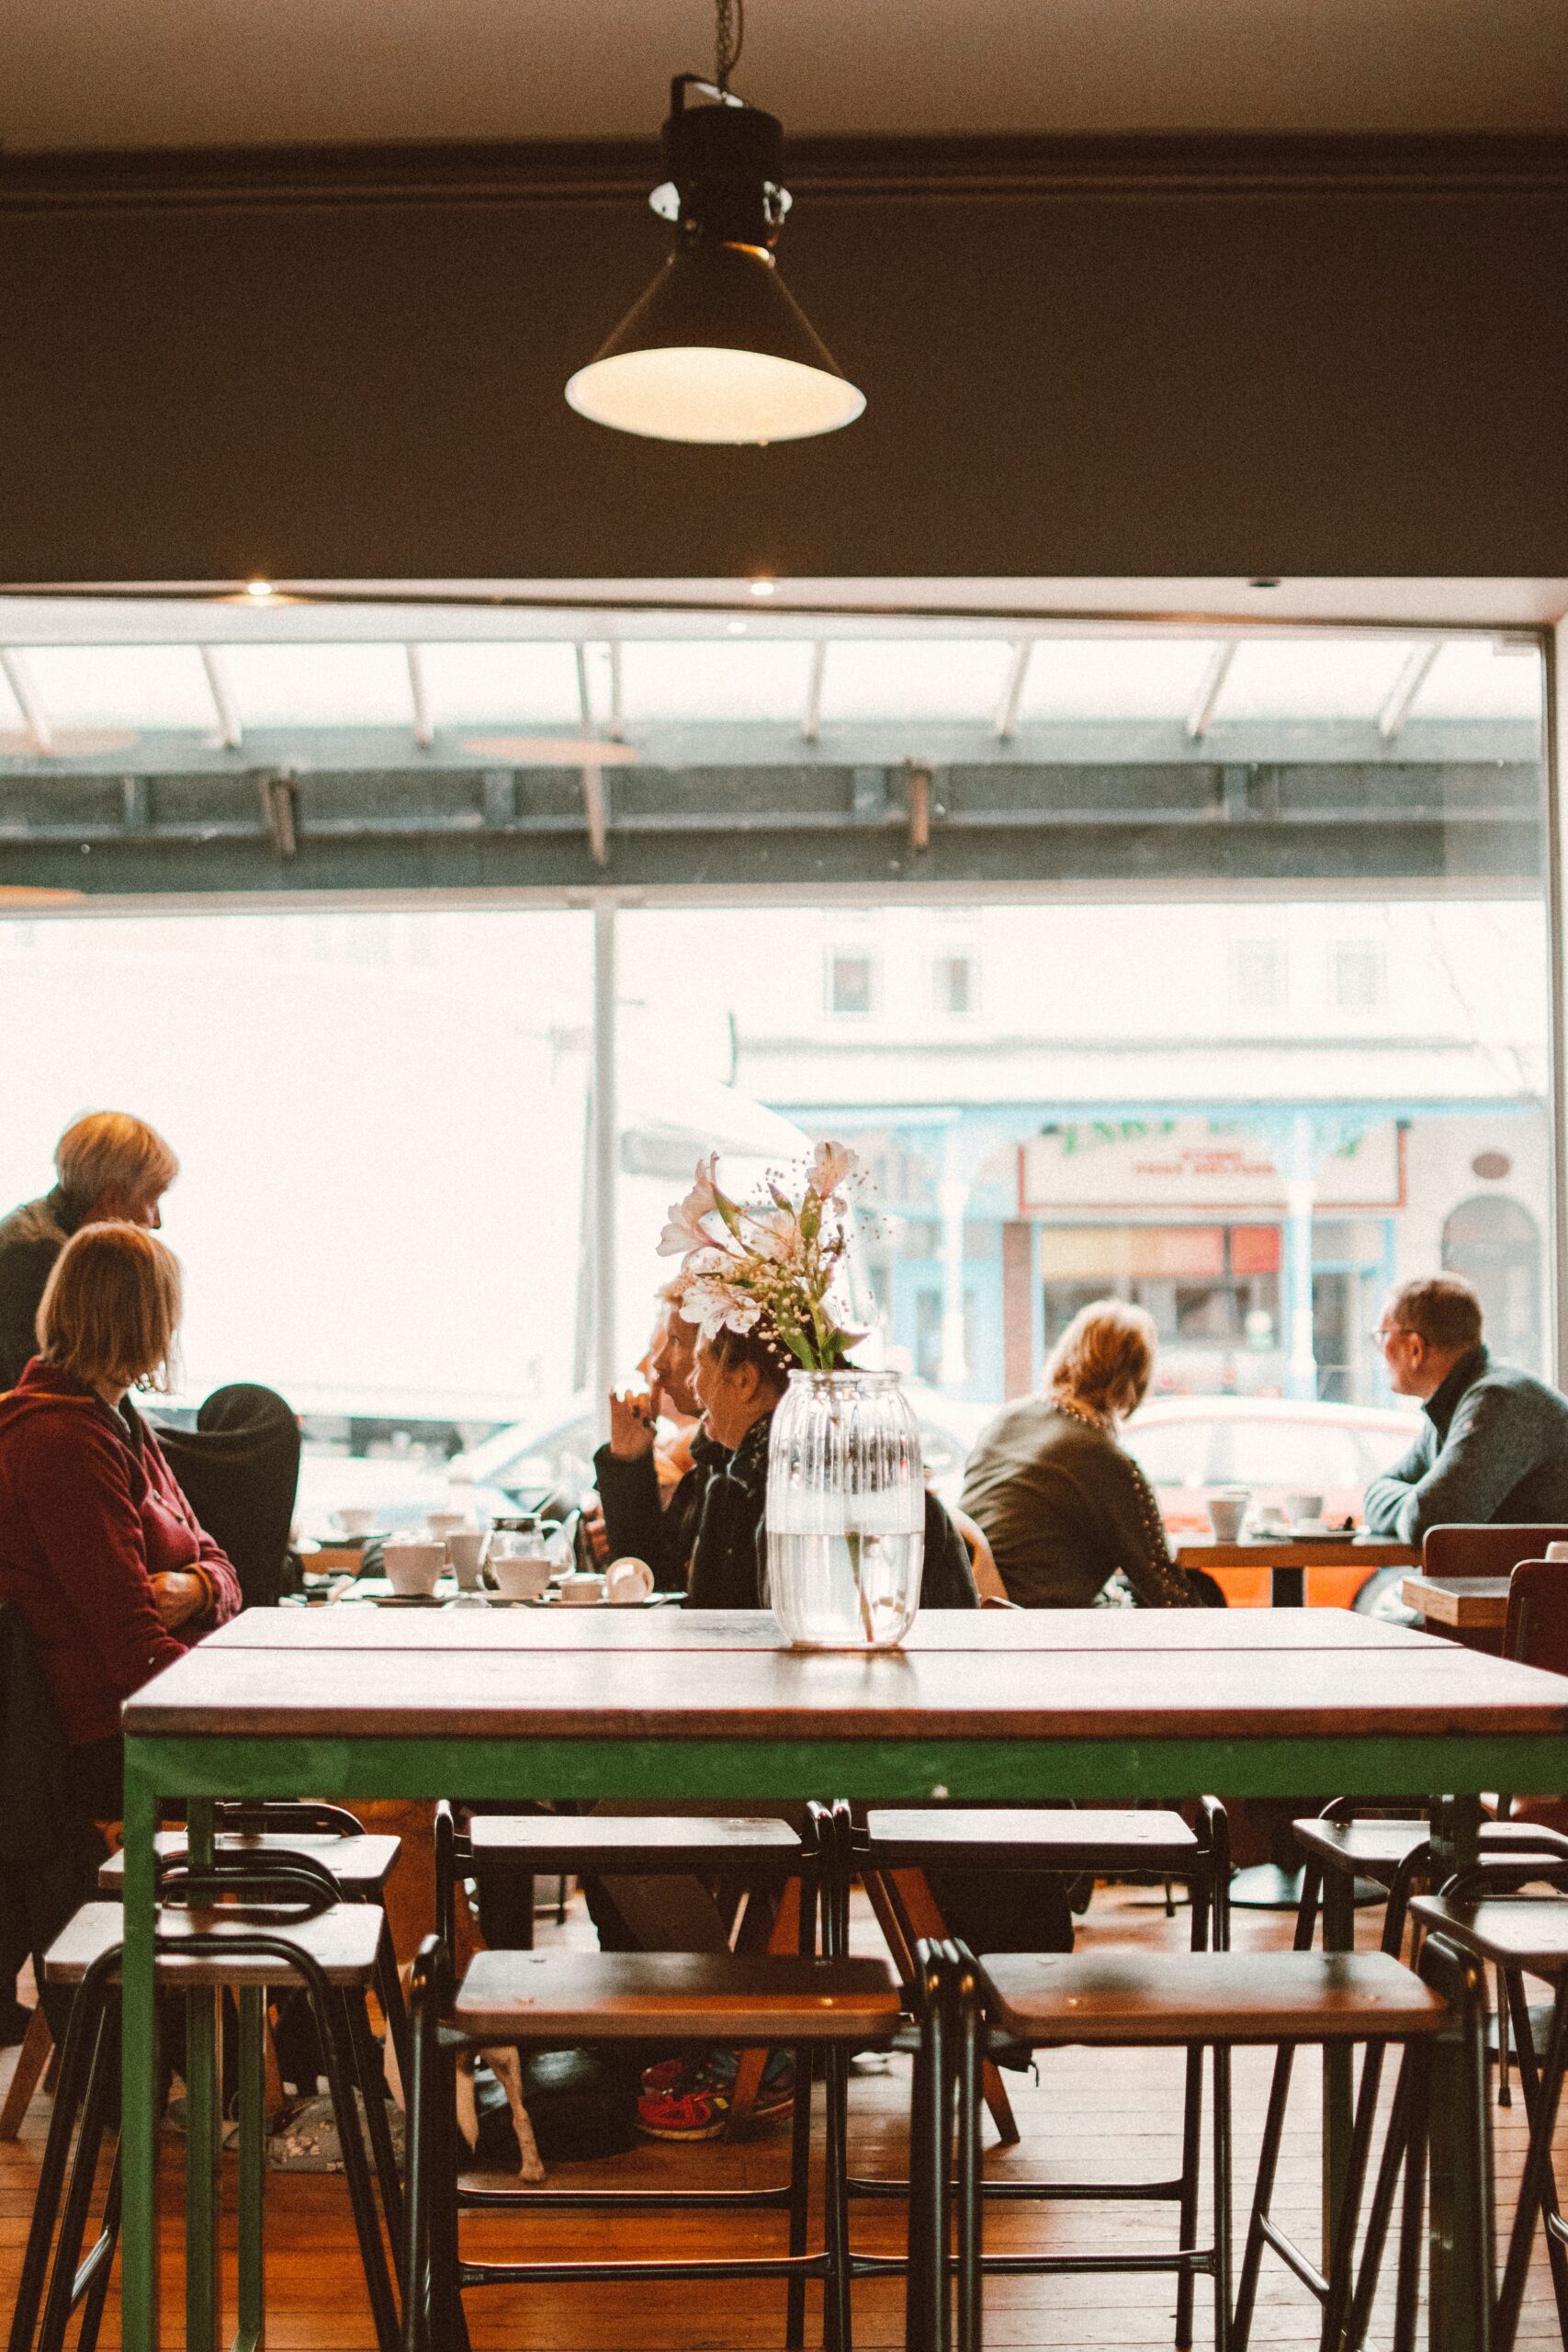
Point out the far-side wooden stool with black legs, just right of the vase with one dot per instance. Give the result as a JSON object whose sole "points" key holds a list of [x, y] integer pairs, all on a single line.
{"points": [[1113, 1843]]}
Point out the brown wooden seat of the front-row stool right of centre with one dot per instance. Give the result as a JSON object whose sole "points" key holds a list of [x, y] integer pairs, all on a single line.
{"points": [[1184, 1998]]}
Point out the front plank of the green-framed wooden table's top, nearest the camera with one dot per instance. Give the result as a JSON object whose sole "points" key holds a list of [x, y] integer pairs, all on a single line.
{"points": [[763, 1695]]}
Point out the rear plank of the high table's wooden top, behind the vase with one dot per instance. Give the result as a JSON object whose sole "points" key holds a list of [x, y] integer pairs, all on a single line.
{"points": [[989, 1631]]}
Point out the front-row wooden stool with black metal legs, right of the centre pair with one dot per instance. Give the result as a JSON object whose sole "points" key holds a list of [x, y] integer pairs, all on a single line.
{"points": [[1184, 2000]]}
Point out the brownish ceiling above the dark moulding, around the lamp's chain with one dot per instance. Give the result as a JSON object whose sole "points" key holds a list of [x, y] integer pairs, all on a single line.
{"points": [[163, 74]]}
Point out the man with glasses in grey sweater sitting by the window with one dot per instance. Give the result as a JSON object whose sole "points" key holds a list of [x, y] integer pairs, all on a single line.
{"points": [[1494, 1443]]}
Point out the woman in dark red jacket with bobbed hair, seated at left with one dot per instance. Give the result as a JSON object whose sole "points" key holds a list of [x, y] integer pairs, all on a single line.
{"points": [[98, 1544]]}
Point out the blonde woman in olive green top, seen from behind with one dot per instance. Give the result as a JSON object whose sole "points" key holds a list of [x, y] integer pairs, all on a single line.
{"points": [[1061, 1504]]}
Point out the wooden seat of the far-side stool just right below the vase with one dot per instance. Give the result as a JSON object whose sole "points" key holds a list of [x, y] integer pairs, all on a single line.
{"points": [[1028, 1838]]}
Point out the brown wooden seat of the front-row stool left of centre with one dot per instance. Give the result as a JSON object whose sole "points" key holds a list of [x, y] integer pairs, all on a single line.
{"points": [[674, 1998]]}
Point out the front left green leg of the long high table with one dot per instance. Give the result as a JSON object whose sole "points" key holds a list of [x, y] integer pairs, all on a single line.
{"points": [[140, 2073]]}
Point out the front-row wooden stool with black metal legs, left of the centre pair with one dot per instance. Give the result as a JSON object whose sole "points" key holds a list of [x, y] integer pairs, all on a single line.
{"points": [[540, 2000]]}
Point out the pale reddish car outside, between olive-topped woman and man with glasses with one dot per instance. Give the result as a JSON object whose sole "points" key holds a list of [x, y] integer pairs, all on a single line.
{"points": [[1273, 1448]]}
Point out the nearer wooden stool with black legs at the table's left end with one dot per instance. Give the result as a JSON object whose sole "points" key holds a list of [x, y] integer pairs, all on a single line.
{"points": [[229, 1930]]}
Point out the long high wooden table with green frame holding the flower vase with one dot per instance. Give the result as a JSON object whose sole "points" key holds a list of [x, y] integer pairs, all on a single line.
{"points": [[1052, 1704]]}
